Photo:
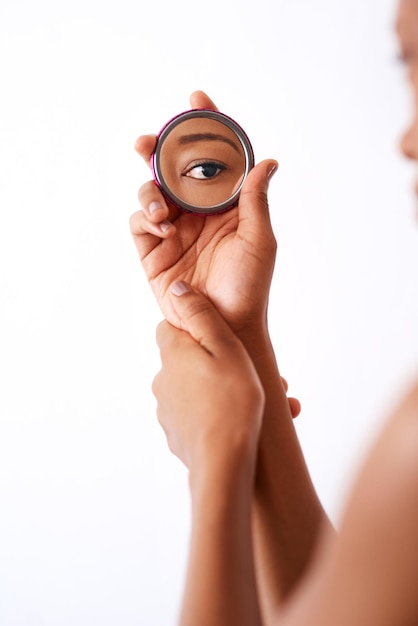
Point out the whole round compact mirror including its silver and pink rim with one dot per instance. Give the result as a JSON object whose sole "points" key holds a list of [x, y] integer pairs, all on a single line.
{"points": [[201, 160]]}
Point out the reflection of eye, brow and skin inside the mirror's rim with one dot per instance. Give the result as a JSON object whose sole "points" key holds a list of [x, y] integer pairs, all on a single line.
{"points": [[202, 162]]}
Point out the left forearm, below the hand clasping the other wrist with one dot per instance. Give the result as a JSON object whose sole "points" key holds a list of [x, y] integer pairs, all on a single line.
{"points": [[220, 586]]}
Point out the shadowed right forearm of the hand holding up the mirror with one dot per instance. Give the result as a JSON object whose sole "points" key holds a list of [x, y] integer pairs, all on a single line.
{"points": [[287, 515]]}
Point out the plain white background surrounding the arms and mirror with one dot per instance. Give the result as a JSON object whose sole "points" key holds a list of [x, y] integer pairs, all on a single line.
{"points": [[94, 512]]}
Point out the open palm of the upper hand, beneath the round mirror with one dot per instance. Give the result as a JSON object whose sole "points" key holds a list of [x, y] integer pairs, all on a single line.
{"points": [[210, 255]]}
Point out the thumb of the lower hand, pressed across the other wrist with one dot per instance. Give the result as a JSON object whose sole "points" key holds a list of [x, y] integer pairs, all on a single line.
{"points": [[201, 319]]}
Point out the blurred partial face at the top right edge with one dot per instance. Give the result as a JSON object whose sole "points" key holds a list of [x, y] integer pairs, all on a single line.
{"points": [[407, 27]]}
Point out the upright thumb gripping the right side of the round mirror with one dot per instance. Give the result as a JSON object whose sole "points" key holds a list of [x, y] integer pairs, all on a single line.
{"points": [[253, 210]]}
